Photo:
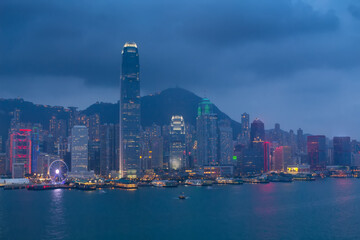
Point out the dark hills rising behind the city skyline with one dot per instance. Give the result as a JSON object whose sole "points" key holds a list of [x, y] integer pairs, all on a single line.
{"points": [[156, 108]]}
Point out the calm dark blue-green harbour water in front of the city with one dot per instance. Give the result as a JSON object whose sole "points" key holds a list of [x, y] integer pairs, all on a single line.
{"points": [[323, 209]]}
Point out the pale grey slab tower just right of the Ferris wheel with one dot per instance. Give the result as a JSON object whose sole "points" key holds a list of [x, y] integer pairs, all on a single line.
{"points": [[79, 149]]}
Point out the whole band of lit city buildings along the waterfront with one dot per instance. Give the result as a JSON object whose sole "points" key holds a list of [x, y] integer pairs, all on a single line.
{"points": [[90, 148]]}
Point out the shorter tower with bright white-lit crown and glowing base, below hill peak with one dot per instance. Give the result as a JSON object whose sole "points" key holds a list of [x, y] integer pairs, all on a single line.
{"points": [[177, 142]]}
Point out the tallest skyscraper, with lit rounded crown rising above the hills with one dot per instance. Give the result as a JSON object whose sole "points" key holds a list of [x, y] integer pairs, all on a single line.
{"points": [[130, 111]]}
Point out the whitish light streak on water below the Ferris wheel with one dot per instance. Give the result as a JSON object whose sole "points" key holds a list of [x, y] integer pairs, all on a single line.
{"points": [[55, 229]]}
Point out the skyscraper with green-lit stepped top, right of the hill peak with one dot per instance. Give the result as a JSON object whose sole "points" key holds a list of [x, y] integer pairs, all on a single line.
{"points": [[207, 134]]}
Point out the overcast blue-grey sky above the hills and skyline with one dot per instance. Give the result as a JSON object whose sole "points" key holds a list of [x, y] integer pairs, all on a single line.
{"points": [[292, 62]]}
